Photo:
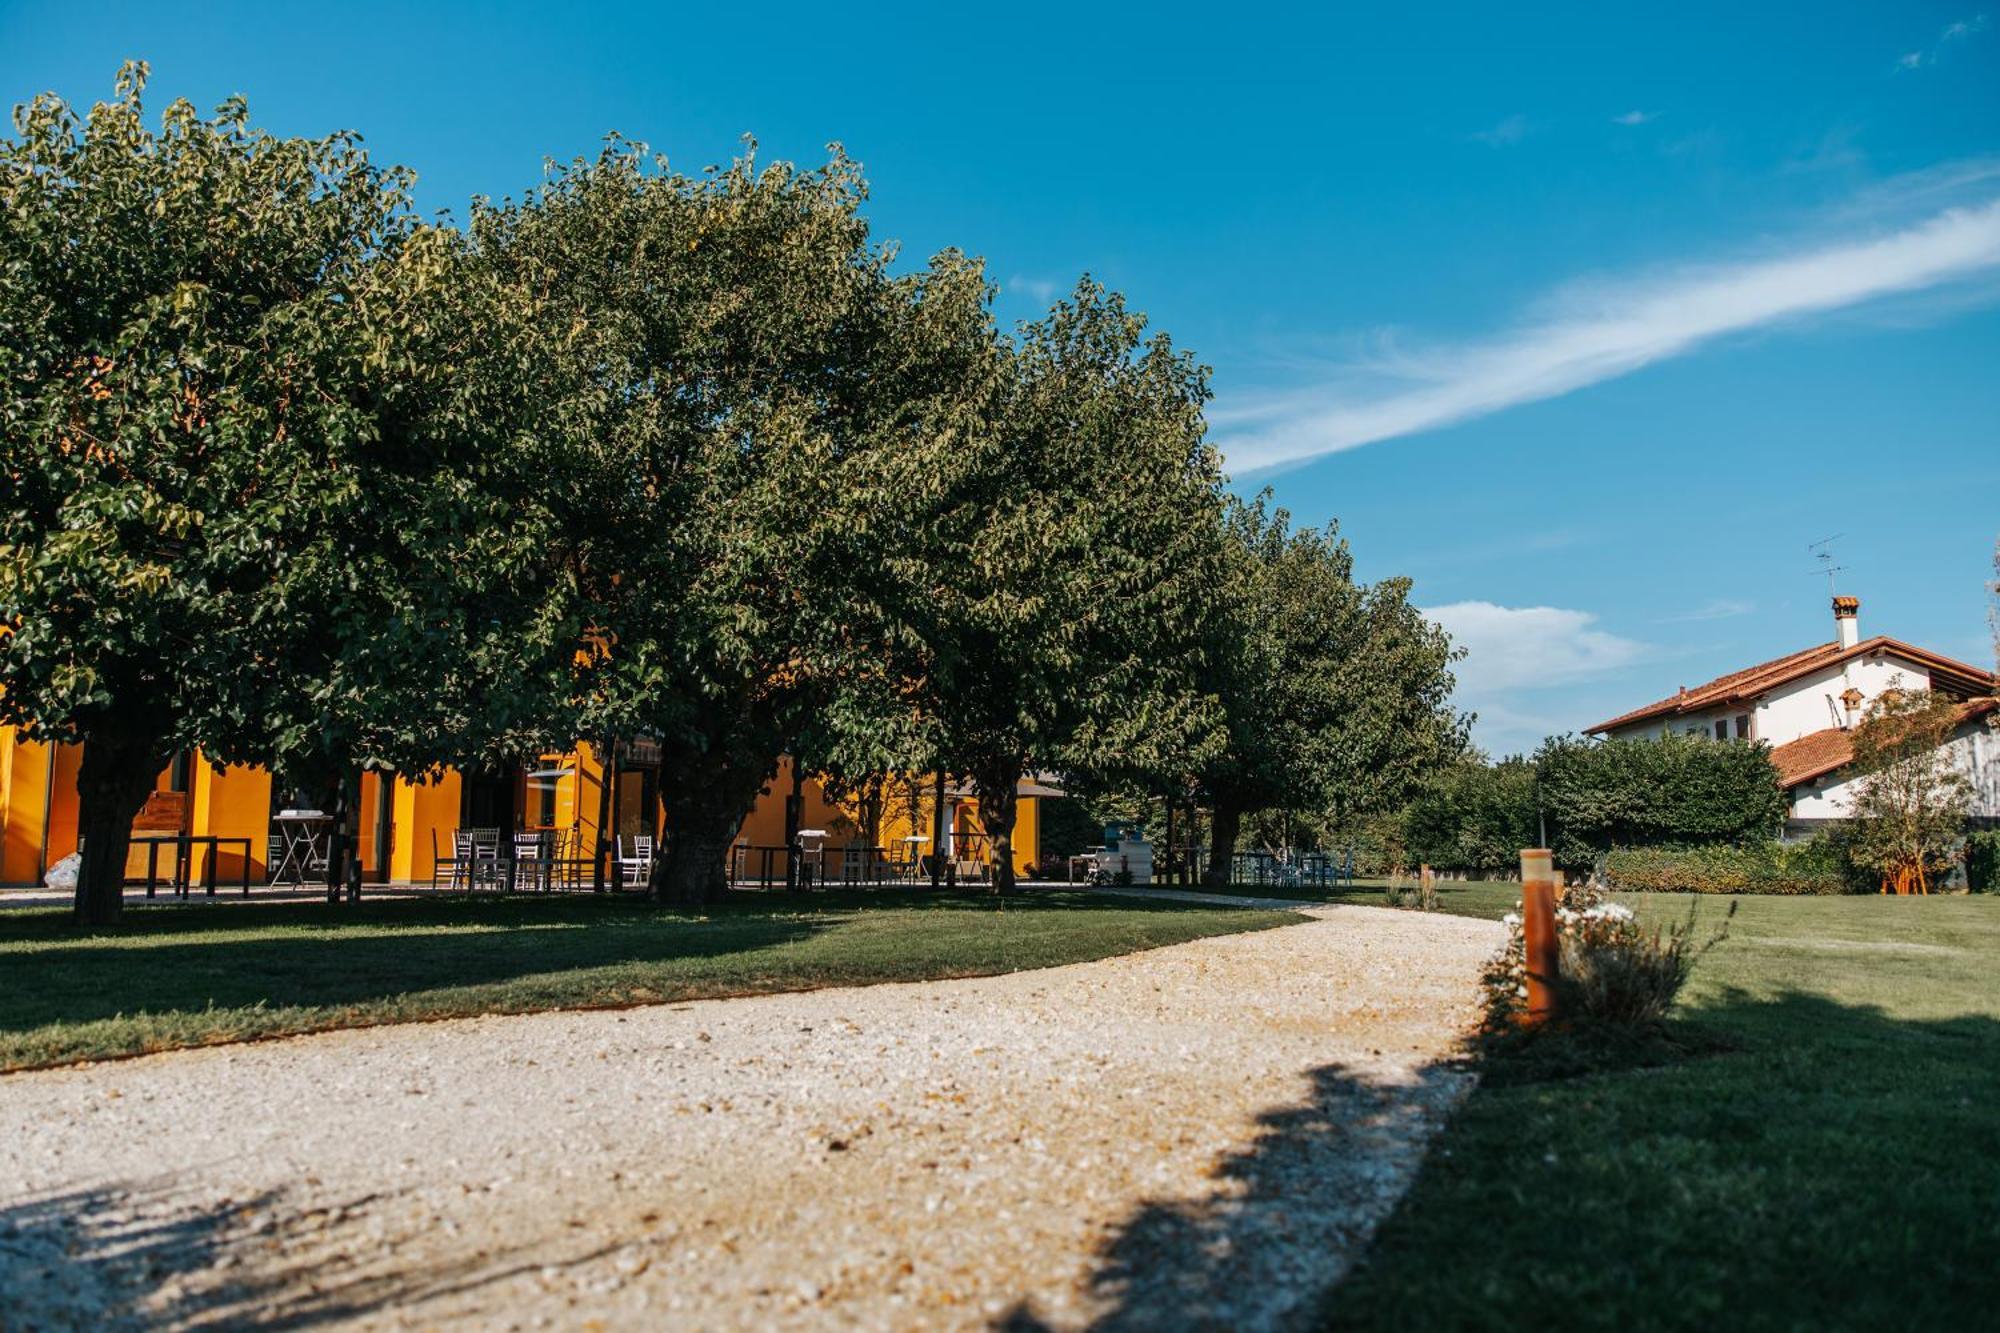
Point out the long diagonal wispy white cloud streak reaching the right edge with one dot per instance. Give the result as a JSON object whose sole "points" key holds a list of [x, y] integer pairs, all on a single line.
{"points": [[1615, 327]]}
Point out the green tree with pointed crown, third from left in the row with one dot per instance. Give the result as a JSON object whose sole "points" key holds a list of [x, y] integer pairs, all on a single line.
{"points": [[1073, 561]]}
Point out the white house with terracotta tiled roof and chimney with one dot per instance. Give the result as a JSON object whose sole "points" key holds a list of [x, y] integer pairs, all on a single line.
{"points": [[1805, 708]]}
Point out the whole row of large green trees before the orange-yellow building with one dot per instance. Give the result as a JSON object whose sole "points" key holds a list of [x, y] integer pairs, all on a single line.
{"points": [[303, 481]]}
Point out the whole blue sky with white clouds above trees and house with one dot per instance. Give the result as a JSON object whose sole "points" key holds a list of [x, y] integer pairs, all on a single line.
{"points": [[1587, 323]]}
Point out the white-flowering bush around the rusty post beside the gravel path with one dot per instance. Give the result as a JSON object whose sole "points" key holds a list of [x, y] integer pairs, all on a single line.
{"points": [[1615, 972]]}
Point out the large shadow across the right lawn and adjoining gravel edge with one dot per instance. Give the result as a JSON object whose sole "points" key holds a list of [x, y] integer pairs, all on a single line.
{"points": [[1781, 1164]]}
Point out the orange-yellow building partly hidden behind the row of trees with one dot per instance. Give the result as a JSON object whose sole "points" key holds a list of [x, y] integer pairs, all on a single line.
{"points": [[405, 826]]}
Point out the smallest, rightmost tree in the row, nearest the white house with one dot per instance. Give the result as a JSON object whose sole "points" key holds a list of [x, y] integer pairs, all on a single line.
{"points": [[1337, 696]]}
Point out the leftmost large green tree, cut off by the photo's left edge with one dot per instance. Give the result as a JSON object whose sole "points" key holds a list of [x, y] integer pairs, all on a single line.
{"points": [[249, 415]]}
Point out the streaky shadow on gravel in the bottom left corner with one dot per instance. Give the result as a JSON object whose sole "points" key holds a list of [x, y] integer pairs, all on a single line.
{"points": [[153, 1256]]}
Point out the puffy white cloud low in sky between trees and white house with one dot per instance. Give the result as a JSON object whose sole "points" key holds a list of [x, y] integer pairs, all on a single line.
{"points": [[1517, 651]]}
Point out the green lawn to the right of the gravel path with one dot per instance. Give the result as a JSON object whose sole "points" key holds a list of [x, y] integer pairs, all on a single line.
{"points": [[1835, 1166]]}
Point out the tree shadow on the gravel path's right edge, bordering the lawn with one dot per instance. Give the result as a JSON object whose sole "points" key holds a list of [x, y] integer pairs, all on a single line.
{"points": [[1285, 1220]]}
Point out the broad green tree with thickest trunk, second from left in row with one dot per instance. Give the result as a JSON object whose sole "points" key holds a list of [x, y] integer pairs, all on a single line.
{"points": [[747, 399]]}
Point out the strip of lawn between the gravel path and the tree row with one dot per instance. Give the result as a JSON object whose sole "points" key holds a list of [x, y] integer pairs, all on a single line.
{"points": [[213, 974]]}
